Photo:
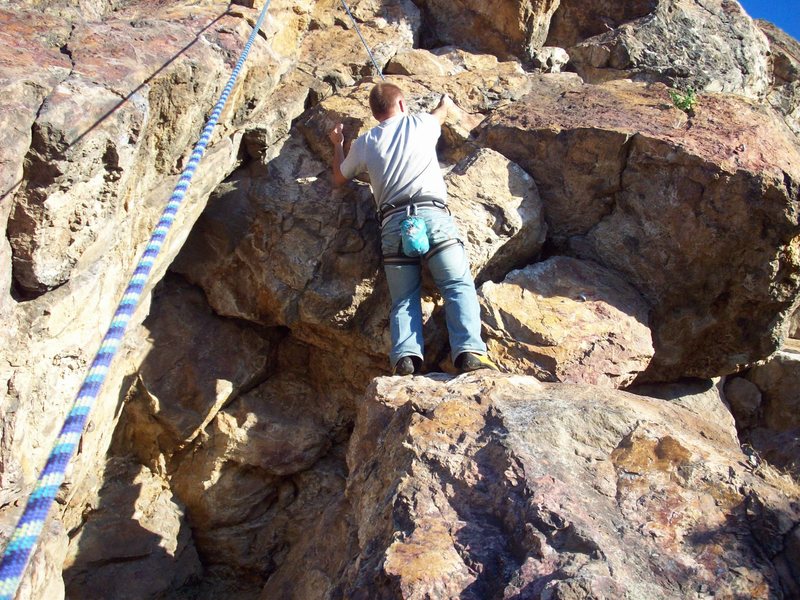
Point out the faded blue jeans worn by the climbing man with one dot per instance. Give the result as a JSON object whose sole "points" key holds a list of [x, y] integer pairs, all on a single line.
{"points": [[450, 271]]}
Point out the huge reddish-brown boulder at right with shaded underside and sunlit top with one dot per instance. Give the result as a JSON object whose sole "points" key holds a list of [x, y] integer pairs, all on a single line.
{"points": [[697, 214]]}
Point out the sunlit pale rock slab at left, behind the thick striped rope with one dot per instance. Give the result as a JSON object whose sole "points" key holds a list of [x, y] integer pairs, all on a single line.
{"points": [[103, 106]]}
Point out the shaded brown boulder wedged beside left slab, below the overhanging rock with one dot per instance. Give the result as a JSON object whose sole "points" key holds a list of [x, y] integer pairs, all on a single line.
{"points": [[195, 363]]}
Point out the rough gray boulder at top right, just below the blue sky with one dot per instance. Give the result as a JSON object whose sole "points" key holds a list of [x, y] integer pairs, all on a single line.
{"points": [[710, 46]]}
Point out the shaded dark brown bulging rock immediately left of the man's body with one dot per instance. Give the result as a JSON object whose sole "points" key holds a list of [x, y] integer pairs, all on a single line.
{"points": [[275, 228]]}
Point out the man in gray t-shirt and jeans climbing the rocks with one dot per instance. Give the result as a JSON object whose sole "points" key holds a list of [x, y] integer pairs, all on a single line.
{"points": [[400, 156]]}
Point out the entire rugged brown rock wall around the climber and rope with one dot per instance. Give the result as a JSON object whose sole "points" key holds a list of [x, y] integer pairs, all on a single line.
{"points": [[243, 446]]}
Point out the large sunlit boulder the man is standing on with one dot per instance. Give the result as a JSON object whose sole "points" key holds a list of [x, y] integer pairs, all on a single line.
{"points": [[492, 485]]}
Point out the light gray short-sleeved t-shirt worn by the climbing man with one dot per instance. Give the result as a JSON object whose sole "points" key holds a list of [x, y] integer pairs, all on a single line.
{"points": [[400, 157]]}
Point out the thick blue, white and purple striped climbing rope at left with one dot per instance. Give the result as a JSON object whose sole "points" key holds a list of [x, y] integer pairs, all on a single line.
{"points": [[30, 525]]}
